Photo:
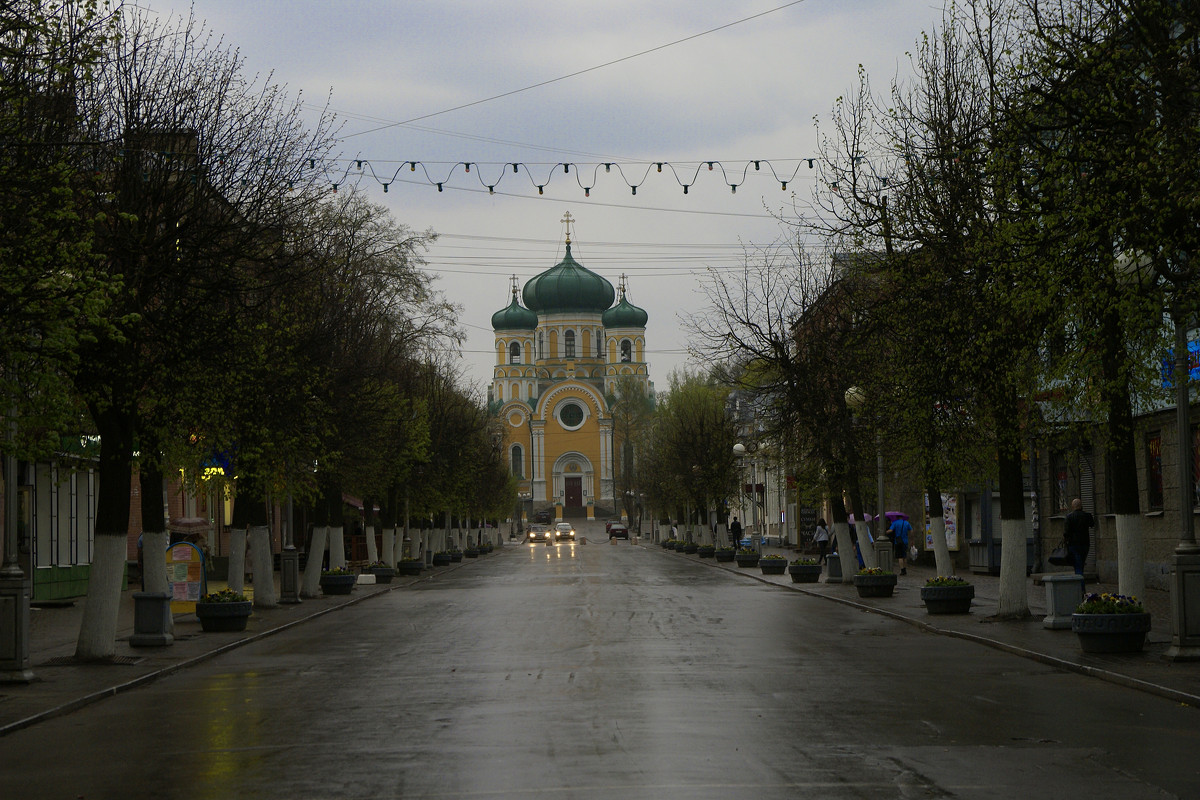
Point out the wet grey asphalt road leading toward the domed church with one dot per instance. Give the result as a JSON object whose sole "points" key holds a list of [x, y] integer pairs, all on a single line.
{"points": [[596, 671]]}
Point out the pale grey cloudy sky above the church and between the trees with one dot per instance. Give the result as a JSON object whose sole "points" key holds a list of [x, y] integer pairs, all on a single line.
{"points": [[586, 82]]}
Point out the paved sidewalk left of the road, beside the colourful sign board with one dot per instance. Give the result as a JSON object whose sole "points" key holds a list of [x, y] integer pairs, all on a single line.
{"points": [[62, 685]]}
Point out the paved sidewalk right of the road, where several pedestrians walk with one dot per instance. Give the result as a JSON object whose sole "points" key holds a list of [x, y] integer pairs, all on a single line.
{"points": [[1148, 672]]}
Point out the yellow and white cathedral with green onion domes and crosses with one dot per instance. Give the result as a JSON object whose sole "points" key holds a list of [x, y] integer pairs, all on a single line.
{"points": [[559, 358]]}
